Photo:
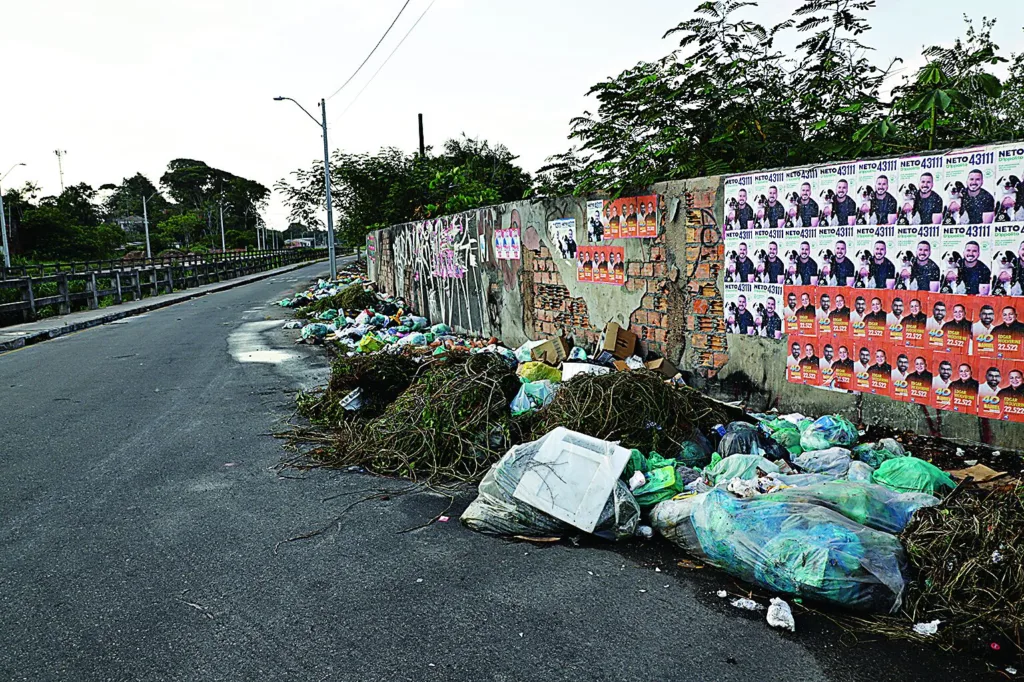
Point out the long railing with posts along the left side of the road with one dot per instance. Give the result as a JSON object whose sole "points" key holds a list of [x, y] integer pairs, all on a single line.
{"points": [[131, 280]]}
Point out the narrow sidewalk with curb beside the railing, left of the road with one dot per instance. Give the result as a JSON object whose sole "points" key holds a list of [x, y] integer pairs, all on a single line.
{"points": [[18, 336]]}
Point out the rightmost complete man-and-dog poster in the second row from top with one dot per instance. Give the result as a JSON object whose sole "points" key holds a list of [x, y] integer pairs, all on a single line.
{"points": [[967, 250]]}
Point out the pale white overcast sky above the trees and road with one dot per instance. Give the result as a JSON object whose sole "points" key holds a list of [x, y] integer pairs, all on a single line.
{"points": [[127, 86]]}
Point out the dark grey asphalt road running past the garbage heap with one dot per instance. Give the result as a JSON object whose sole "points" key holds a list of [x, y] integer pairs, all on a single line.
{"points": [[141, 516]]}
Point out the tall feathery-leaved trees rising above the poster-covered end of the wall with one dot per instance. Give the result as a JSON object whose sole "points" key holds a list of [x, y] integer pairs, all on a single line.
{"points": [[731, 99]]}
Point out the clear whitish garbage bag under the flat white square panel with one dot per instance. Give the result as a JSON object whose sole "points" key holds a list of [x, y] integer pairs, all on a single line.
{"points": [[496, 511]]}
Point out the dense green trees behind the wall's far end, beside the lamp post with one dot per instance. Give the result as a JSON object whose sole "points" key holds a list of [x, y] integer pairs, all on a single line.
{"points": [[370, 191]]}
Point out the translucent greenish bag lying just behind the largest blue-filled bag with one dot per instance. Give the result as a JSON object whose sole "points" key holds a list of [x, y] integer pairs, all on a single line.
{"points": [[868, 504]]}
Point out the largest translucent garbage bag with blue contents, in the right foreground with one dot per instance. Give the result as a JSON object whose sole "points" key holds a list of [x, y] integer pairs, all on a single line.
{"points": [[800, 549]]}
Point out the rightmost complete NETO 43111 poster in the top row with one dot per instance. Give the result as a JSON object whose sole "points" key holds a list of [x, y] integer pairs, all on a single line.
{"points": [[970, 184]]}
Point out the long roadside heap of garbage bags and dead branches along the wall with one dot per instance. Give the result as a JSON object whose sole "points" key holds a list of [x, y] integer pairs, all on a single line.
{"points": [[602, 442]]}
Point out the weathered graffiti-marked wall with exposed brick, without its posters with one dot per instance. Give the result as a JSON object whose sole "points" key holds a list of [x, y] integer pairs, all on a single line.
{"points": [[672, 301]]}
